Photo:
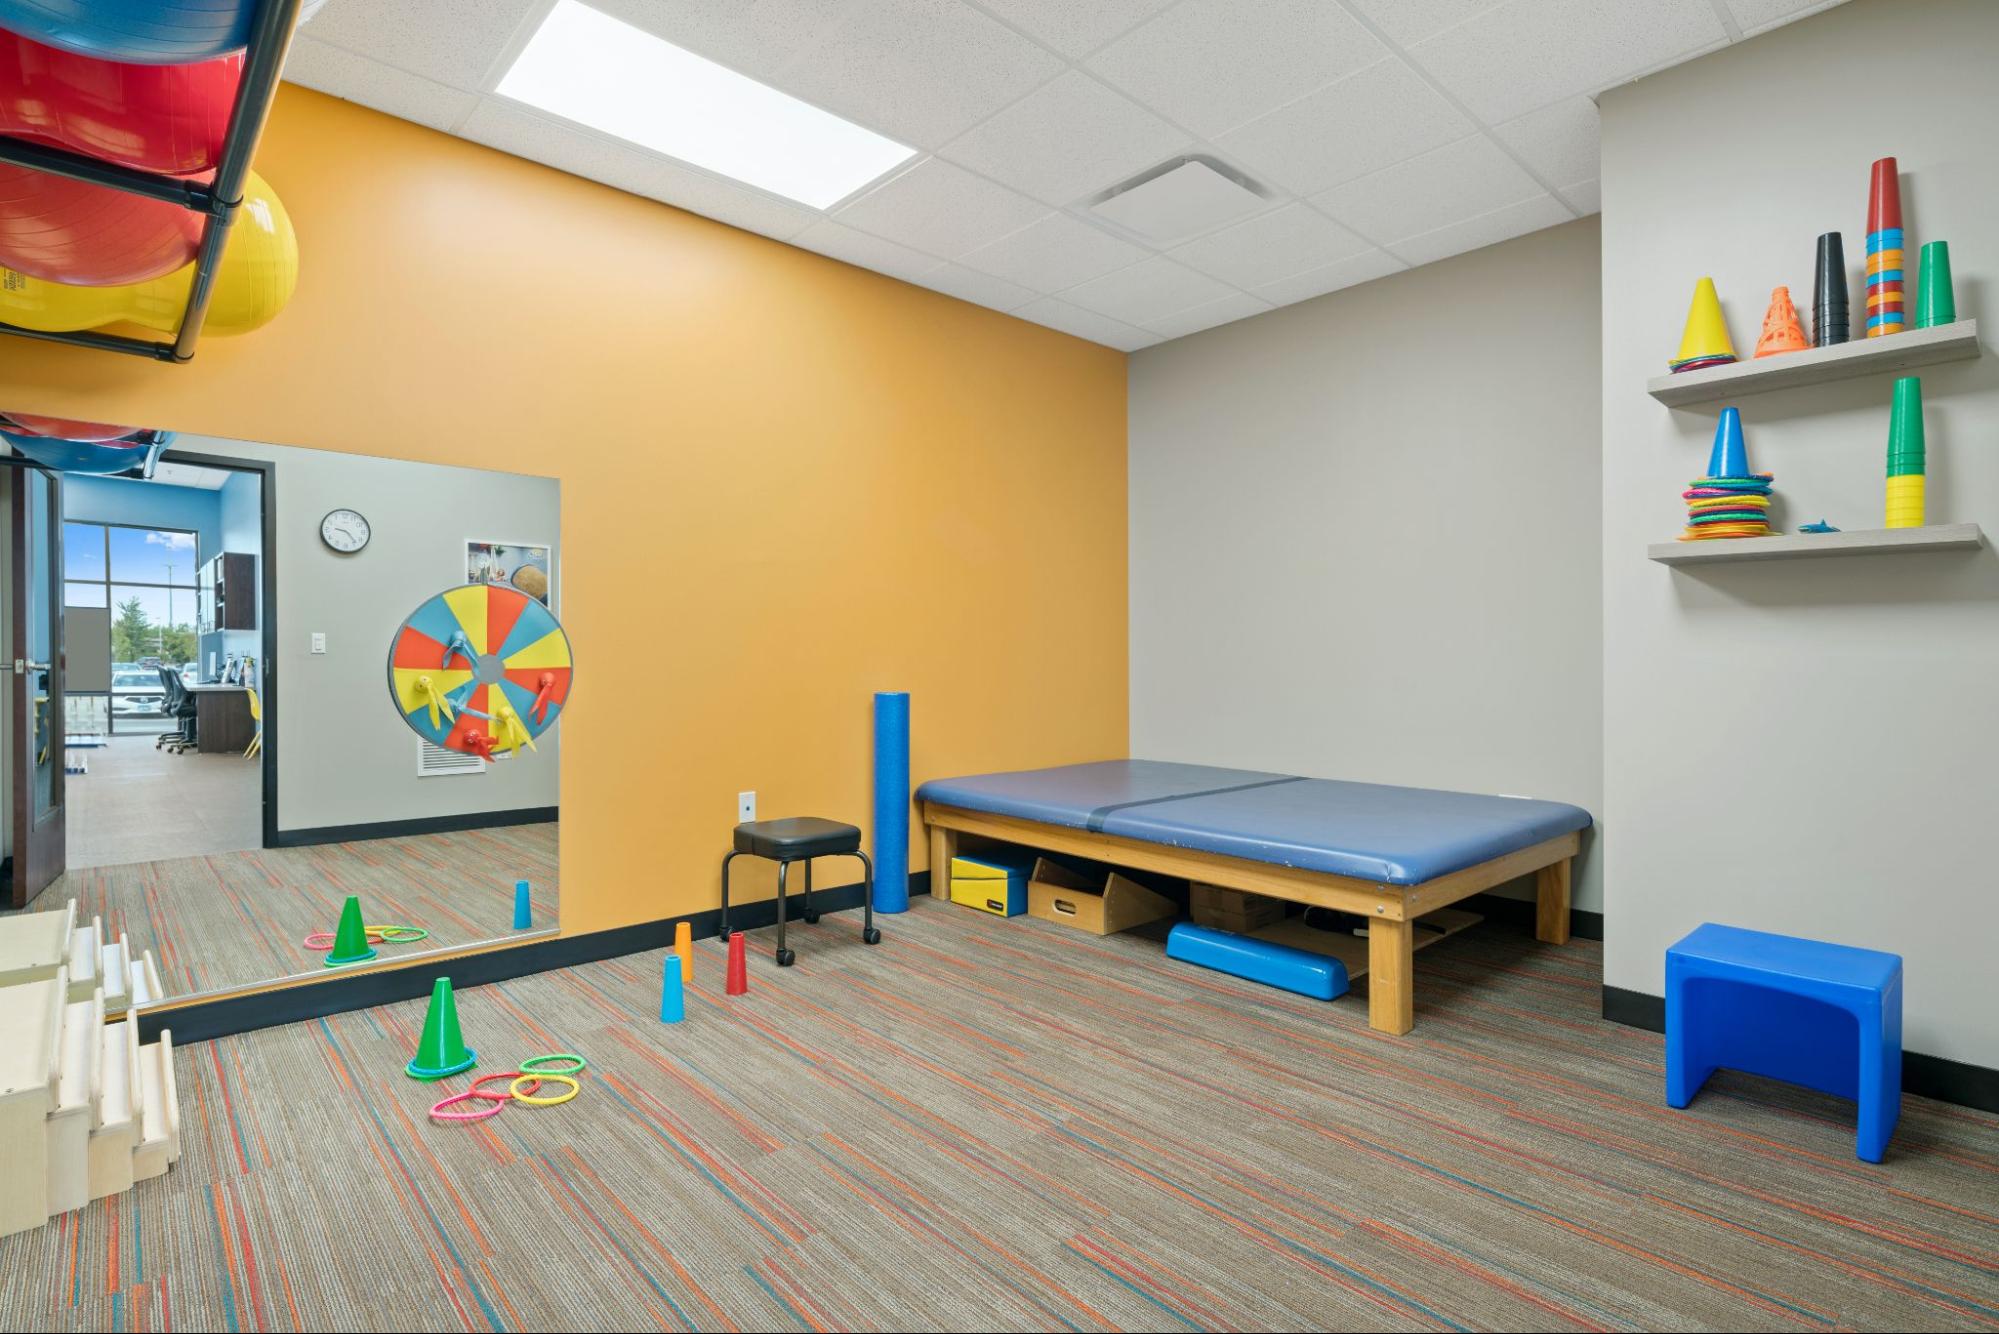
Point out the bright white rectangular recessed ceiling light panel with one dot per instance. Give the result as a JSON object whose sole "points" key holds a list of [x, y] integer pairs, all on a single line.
{"points": [[599, 71]]}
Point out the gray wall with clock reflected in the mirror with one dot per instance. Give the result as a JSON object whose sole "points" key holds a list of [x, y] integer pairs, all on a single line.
{"points": [[345, 757]]}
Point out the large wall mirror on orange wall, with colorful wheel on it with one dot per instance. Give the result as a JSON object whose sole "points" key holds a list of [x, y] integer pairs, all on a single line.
{"points": [[209, 731]]}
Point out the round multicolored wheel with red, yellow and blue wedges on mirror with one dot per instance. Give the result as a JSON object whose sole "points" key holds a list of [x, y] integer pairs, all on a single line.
{"points": [[481, 669]]}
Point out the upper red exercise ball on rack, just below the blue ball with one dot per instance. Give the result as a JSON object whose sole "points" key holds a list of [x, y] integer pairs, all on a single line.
{"points": [[155, 117]]}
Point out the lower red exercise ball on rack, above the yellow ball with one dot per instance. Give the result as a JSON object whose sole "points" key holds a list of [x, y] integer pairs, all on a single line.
{"points": [[89, 237]]}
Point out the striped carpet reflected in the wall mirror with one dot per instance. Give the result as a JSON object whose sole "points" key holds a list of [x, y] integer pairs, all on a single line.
{"points": [[235, 919]]}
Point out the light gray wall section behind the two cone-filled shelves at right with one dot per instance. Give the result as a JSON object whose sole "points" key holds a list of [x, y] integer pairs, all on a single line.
{"points": [[1806, 747]]}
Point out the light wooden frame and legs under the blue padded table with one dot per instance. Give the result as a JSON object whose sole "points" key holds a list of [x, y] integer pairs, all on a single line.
{"points": [[1390, 909]]}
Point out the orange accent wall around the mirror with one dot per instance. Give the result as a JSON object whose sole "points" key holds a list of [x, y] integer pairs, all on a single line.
{"points": [[787, 483]]}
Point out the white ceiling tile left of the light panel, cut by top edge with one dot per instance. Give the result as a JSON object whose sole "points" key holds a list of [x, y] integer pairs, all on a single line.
{"points": [[451, 43]]}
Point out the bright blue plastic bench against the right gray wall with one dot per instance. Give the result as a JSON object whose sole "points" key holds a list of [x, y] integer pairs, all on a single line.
{"points": [[1800, 1011]]}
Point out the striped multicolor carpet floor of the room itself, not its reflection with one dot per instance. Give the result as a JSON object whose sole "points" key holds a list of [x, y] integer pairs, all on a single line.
{"points": [[1004, 1125]]}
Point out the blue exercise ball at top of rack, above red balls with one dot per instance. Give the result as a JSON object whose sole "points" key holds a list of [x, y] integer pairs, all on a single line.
{"points": [[135, 31]]}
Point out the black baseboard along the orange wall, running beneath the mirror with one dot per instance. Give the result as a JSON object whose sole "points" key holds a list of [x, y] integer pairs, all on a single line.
{"points": [[359, 991]]}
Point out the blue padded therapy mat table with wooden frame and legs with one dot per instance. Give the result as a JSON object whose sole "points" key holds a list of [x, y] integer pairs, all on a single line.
{"points": [[1384, 853]]}
